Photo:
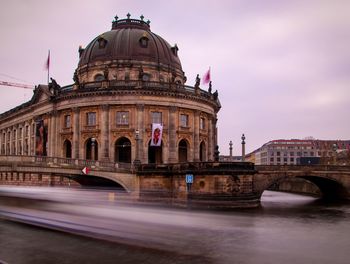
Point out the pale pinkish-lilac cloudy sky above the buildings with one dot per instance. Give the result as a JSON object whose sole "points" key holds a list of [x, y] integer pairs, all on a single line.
{"points": [[281, 68]]}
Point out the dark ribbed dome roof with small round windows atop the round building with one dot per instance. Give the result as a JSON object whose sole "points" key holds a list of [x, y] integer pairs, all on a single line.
{"points": [[130, 39]]}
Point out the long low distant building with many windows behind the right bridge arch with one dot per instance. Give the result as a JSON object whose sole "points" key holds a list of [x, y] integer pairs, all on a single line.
{"points": [[290, 151]]}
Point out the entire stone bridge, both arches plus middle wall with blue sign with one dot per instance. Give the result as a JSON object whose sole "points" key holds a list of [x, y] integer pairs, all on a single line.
{"points": [[216, 183]]}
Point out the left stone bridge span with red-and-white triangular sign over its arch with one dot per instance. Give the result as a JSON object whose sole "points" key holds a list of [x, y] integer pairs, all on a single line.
{"points": [[51, 171]]}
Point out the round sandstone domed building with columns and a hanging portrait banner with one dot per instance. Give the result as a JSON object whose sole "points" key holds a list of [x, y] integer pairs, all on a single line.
{"points": [[128, 103]]}
